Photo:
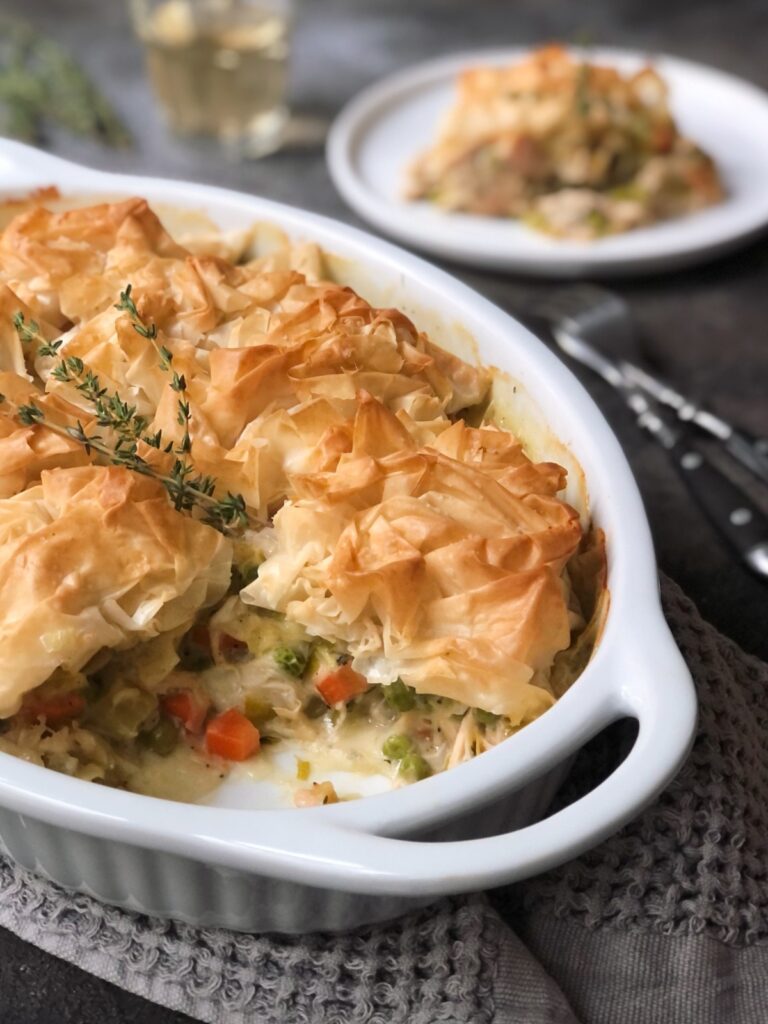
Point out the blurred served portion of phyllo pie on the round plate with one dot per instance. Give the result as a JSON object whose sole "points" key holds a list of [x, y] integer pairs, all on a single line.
{"points": [[576, 149]]}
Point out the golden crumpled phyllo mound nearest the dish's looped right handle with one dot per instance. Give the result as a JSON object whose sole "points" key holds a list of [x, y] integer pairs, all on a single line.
{"points": [[440, 565]]}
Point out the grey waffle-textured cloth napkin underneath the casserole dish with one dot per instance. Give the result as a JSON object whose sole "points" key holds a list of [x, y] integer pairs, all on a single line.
{"points": [[665, 923]]}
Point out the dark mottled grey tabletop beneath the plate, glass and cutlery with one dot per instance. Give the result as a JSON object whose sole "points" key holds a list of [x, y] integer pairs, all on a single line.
{"points": [[706, 328]]}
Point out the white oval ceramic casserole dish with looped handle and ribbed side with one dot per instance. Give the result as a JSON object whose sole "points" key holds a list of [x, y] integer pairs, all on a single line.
{"points": [[472, 828]]}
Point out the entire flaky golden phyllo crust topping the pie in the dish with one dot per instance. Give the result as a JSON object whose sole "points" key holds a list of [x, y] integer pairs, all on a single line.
{"points": [[435, 550]]}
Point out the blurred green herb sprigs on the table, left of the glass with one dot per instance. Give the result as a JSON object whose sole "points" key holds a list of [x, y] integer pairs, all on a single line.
{"points": [[42, 88]]}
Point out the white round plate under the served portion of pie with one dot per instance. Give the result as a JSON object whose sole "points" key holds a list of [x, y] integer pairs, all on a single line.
{"points": [[385, 127]]}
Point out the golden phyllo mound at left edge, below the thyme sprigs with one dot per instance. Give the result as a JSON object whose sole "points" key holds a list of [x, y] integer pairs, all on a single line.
{"points": [[96, 558]]}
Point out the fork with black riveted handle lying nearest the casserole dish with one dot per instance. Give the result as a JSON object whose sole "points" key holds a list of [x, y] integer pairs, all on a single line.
{"points": [[584, 329]]}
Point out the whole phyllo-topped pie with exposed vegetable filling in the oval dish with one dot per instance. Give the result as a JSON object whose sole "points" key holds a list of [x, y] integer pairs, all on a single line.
{"points": [[239, 505]]}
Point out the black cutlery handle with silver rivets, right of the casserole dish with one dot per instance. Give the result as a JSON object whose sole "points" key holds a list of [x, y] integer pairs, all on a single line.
{"points": [[734, 515]]}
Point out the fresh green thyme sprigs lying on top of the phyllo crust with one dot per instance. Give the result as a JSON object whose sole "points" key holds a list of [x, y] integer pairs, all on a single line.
{"points": [[187, 489]]}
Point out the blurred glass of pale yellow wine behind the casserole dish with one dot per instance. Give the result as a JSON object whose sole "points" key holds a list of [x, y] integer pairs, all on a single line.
{"points": [[220, 68]]}
